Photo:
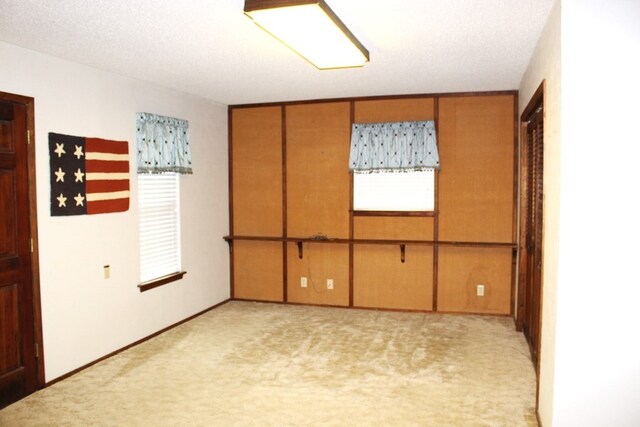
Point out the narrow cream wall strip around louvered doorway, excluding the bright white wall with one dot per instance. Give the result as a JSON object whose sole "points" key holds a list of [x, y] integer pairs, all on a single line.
{"points": [[545, 65]]}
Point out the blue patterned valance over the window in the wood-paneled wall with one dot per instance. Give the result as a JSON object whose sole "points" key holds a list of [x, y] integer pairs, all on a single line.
{"points": [[397, 146]]}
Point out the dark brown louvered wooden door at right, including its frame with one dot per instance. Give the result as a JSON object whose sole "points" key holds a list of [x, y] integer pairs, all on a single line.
{"points": [[532, 165]]}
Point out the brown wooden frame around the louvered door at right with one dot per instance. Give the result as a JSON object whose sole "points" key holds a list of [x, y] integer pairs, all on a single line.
{"points": [[537, 100]]}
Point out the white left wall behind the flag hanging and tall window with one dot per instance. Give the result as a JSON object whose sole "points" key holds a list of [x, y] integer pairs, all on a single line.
{"points": [[84, 315]]}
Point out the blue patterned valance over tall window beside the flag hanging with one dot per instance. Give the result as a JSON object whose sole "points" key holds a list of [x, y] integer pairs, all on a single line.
{"points": [[163, 144]]}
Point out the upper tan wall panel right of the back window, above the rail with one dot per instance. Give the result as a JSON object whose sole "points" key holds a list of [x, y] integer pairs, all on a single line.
{"points": [[476, 186]]}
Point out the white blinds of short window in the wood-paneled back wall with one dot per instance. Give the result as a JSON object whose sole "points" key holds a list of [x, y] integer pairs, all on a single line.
{"points": [[400, 191]]}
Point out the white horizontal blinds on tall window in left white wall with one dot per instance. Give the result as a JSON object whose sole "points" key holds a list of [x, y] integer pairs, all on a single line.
{"points": [[158, 205]]}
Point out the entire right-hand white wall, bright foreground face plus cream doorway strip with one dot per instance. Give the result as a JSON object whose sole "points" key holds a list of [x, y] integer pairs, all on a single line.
{"points": [[590, 372]]}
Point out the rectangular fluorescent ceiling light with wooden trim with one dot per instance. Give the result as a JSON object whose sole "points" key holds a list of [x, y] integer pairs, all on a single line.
{"points": [[311, 29]]}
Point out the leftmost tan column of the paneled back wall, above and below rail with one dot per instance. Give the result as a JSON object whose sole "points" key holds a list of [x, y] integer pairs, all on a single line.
{"points": [[256, 156]]}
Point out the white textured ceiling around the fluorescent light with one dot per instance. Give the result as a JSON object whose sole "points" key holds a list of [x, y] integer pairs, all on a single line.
{"points": [[209, 48]]}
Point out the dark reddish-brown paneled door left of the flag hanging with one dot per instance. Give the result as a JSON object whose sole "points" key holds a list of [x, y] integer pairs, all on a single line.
{"points": [[19, 307]]}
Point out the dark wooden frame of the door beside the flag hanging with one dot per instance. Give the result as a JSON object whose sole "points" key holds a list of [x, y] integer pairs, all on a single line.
{"points": [[28, 102]]}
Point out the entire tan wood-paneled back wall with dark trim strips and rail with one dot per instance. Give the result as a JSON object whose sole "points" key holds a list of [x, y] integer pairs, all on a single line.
{"points": [[290, 179]]}
